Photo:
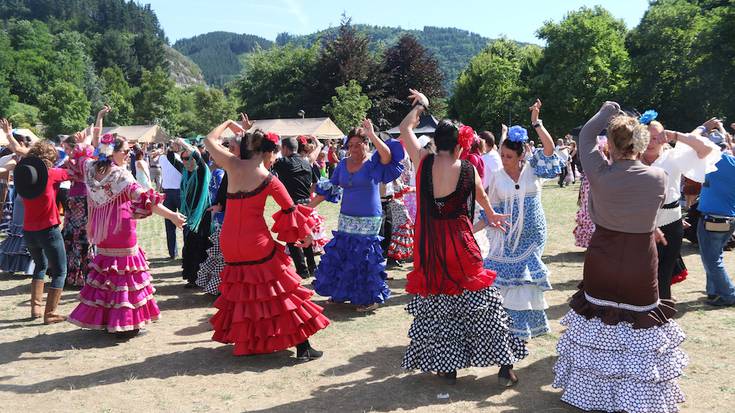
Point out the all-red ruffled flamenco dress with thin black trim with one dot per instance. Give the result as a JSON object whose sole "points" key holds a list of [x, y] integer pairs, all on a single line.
{"points": [[262, 307]]}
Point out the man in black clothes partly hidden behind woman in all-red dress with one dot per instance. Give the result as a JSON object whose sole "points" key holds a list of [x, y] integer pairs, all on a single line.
{"points": [[296, 174]]}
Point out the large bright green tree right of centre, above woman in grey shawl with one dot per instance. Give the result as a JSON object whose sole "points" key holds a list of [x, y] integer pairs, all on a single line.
{"points": [[584, 63]]}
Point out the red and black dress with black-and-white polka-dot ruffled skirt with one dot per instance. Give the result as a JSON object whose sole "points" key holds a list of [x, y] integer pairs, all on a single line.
{"points": [[459, 320]]}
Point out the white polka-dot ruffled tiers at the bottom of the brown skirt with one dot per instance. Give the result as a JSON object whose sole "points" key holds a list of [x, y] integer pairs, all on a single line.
{"points": [[618, 368]]}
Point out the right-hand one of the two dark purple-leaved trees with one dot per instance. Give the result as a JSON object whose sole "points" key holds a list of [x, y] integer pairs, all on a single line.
{"points": [[409, 65]]}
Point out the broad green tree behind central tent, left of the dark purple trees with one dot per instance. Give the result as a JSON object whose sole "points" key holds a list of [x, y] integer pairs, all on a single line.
{"points": [[277, 83]]}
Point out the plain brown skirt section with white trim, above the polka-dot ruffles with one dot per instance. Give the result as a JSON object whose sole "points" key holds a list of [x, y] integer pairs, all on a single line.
{"points": [[620, 281]]}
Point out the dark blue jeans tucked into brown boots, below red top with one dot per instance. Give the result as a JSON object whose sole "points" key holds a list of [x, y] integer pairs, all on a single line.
{"points": [[47, 250]]}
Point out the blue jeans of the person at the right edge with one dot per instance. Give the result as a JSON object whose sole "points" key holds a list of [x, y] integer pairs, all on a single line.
{"points": [[711, 247]]}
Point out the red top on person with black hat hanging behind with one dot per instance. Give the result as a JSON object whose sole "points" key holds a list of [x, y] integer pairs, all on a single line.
{"points": [[41, 212]]}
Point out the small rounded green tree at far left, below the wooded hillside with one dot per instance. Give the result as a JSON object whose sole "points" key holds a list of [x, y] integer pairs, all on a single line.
{"points": [[64, 108]]}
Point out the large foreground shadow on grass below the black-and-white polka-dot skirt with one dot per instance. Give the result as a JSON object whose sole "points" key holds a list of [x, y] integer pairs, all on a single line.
{"points": [[387, 388]]}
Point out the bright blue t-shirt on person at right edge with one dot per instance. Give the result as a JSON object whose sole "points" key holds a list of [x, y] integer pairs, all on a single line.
{"points": [[718, 191]]}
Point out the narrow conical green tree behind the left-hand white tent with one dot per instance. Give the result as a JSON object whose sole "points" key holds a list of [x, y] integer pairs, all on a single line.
{"points": [[157, 101]]}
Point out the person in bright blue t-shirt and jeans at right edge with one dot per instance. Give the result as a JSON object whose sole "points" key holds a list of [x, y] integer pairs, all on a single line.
{"points": [[717, 224]]}
